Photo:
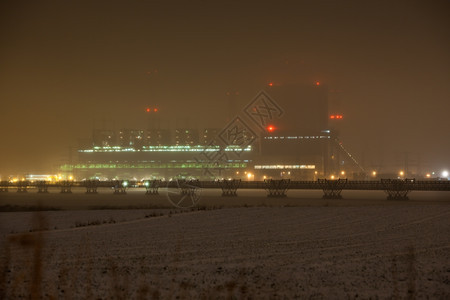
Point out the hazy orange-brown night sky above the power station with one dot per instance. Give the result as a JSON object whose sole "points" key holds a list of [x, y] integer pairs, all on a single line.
{"points": [[65, 65]]}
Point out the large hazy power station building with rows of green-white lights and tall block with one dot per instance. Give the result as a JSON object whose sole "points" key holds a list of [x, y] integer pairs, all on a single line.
{"points": [[285, 135]]}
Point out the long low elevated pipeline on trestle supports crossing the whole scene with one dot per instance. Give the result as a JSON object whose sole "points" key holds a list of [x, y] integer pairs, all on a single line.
{"points": [[396, 189]]}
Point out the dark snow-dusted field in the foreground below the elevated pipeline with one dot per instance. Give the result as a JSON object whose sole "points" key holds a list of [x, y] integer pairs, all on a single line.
{"points": [[245, 247]]}
